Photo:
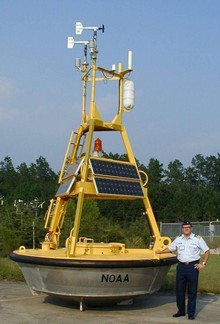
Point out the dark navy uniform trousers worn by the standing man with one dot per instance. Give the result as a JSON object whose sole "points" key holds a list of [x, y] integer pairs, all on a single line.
{"points": [[186, 279]]}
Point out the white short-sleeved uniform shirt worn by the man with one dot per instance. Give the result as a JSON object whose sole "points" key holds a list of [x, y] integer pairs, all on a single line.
{"points": [[190, 249]]}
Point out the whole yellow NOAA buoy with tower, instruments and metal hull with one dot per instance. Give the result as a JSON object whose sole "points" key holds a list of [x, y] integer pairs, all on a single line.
{"points": [[85, 270]]}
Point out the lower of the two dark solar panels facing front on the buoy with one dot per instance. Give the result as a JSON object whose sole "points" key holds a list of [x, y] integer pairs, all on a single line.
{"points": [[118, 187]]}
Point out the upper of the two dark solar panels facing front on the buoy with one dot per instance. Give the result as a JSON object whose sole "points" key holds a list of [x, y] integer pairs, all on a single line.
{"points": [[114, 168]]}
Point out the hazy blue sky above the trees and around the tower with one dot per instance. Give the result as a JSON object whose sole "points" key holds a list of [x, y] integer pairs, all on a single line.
{"points": [[176, 72]]}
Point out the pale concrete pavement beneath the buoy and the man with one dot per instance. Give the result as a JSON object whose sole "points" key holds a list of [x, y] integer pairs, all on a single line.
{"points": [[19, 306]]}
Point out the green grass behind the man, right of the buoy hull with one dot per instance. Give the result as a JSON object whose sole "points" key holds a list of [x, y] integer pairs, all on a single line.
{"points": [[208, 277]]}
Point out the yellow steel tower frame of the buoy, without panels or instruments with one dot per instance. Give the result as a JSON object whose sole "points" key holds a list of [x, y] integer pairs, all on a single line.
{"points": [[91, 122]]}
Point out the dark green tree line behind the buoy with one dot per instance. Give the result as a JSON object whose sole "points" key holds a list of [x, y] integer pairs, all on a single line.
{"points": [[175, 193]]}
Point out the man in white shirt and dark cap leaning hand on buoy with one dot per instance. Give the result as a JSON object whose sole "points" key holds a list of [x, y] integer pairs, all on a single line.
{"points": [[189, 248]]}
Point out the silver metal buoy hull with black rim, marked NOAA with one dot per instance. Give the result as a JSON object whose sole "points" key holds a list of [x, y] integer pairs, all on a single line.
{"points": [[93, 279]]}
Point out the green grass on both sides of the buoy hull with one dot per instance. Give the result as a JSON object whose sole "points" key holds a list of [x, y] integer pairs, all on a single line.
{"points": [[208, 279]]}
